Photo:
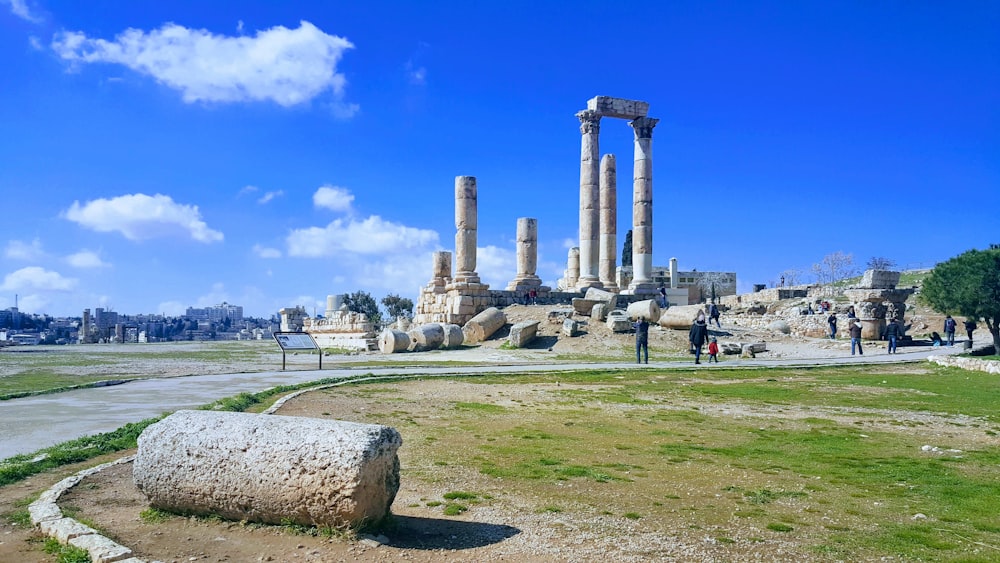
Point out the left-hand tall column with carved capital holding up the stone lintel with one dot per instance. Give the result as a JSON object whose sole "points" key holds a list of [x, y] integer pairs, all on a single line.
{"points": [[590, 126]]}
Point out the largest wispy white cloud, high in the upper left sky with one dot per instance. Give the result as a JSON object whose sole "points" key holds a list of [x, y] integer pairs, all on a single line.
{"points": [[286, 66]]}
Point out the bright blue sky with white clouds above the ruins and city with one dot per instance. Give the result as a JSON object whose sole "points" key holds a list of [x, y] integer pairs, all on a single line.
{"points": [[155, 156]]}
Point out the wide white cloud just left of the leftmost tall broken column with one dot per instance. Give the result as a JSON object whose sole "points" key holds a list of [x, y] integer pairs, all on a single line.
{"points": [[371, 236]]}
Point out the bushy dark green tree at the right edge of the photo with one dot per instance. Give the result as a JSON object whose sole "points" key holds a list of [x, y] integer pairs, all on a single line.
{"points": [[968, 285]]}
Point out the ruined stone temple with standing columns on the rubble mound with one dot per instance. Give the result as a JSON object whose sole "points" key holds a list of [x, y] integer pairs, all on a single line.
{"points": [[455, 299]]}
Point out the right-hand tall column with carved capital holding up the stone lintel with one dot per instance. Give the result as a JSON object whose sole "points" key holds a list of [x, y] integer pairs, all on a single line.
{"points": [[642, 206]]}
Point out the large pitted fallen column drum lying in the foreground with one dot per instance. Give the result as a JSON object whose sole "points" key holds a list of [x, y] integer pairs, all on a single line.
{"points": [[268, 468]]}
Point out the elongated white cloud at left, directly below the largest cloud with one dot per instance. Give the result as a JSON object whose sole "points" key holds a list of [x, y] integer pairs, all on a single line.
{"points": [[139, 217]]}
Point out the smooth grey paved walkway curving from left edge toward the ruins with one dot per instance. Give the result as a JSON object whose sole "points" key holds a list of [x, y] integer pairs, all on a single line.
{"points": [[31, 423]]}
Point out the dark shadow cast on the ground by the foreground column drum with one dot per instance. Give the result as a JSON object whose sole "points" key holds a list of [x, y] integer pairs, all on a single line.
{"points": [[410, 532]]}
